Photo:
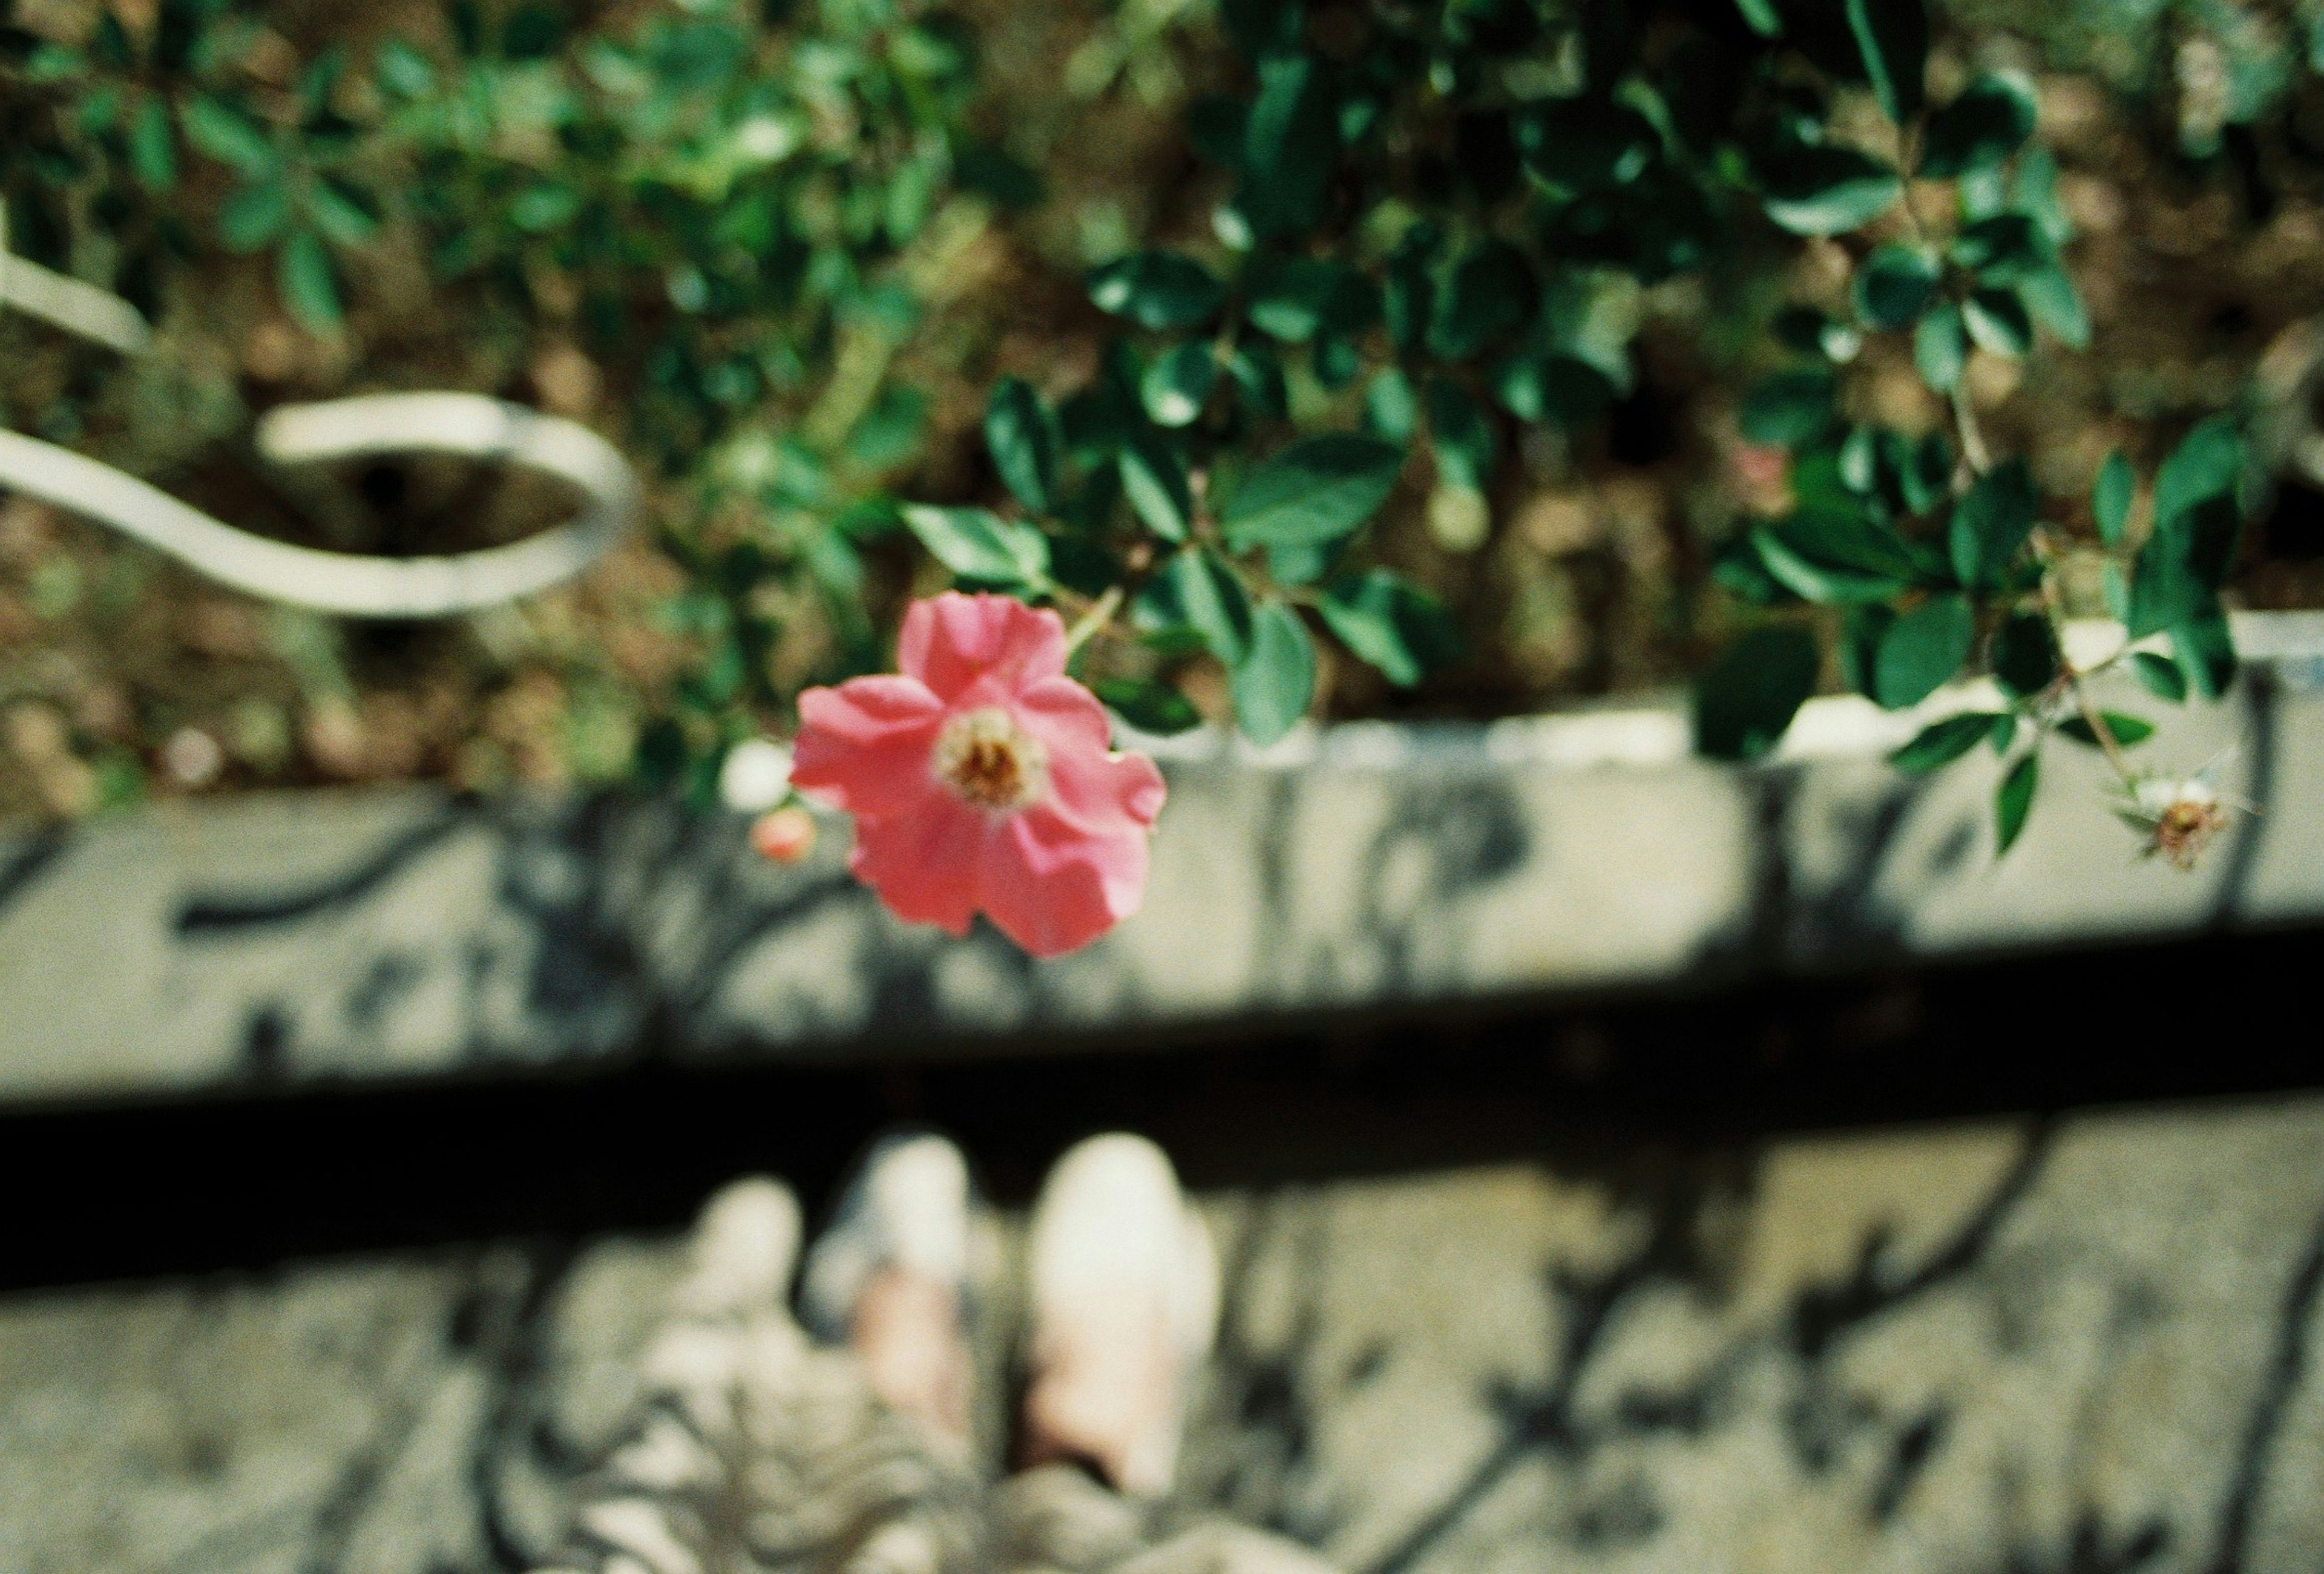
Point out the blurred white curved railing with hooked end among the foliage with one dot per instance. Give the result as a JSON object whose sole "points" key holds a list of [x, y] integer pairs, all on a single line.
{"points": [[338, 582]]}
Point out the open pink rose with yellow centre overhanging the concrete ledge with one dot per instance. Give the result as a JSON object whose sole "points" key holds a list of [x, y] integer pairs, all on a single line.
{"points": [[982, 780]]}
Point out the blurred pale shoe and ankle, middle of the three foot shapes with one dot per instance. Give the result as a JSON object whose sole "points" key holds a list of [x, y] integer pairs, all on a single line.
{"points": [[891, 1280]]}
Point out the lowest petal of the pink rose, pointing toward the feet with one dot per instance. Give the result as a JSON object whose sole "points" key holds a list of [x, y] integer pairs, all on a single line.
{"points": [[1054, 887]]}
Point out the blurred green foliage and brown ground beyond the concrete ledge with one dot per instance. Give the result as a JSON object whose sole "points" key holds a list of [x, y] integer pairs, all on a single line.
{"points": [[808, 262]]}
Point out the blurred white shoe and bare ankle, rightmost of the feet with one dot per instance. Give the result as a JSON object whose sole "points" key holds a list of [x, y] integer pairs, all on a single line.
{"points": [[1124, 1310]]}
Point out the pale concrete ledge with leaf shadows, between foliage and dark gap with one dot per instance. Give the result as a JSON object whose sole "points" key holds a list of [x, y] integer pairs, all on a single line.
{"points": [[375, 936]]}
